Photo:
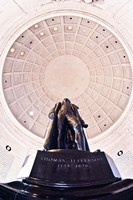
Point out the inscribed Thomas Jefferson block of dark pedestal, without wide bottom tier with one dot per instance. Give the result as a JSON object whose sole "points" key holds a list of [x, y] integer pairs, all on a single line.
{"points": [[71, 168]]}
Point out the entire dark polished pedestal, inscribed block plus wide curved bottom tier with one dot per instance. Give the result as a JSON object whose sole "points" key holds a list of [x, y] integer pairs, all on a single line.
{"points": [[69, 175]]}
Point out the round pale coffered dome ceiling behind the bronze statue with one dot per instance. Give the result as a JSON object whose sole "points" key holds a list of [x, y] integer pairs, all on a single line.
{"points": [[67, 56]]}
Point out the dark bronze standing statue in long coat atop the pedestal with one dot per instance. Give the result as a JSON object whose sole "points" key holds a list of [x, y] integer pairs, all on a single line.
{"points": [[66, 131]]}
